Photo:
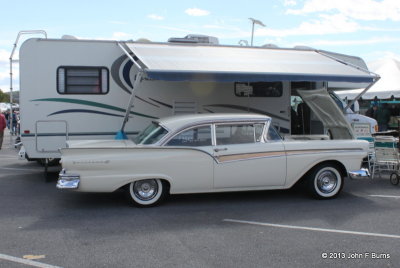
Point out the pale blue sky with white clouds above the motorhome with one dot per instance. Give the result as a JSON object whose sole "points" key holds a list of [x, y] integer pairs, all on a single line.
{"points": [[366, 28]]}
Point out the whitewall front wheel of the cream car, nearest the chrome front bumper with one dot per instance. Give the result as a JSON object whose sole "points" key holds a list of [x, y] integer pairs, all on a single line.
{"points": [[325, 181]]}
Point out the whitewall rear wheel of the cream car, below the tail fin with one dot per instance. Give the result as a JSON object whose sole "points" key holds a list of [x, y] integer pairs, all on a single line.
{"points": [[147, 193]]}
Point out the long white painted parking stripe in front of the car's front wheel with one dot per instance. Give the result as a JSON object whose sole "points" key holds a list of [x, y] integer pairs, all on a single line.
{"points": [[312, 229]]}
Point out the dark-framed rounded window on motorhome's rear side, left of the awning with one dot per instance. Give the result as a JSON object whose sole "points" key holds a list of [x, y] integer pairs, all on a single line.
{"points": [[82, 80]]}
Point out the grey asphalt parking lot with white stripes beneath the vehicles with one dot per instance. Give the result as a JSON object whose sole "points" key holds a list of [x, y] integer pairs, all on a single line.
{"points": [[41, 226]]}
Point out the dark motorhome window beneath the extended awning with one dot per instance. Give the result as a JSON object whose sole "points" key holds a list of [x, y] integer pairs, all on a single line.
{"points": [[259, 89]]}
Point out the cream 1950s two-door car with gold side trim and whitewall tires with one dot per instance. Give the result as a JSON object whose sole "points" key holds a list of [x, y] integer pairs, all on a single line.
{"points": [[209, 153]]}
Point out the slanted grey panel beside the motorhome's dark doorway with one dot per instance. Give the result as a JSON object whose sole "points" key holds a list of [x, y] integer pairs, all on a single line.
{"points": [[323, 106]]}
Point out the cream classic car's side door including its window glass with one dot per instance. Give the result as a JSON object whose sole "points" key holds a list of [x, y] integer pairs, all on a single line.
{"points": [[246, 157]]}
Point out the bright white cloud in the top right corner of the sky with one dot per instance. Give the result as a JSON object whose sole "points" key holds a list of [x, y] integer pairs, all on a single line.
{"points": [[355, 9]]}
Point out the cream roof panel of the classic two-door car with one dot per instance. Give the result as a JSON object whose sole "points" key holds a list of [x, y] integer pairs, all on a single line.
{"points": [[180, 121]]}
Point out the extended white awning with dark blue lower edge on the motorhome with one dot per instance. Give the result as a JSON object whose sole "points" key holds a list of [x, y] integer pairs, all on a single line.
{"points": [[177, 62]]}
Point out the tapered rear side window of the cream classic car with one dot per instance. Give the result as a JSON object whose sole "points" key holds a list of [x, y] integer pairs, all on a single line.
{"points": [[200, 136]]}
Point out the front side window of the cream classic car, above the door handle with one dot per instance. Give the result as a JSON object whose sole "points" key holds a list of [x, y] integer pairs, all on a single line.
{"points": [[239, 133]]}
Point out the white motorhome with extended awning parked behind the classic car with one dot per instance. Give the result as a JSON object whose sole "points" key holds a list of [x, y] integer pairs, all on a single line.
{"points": [[74, 89]]}
